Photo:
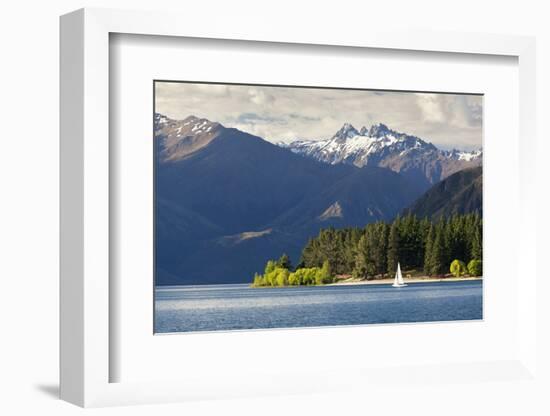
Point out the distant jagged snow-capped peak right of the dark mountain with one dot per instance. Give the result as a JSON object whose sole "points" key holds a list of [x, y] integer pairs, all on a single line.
{"points": [[383, 147]]}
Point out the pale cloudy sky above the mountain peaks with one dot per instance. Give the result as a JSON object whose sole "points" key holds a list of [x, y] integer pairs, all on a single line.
{"points": [[285, 114]]}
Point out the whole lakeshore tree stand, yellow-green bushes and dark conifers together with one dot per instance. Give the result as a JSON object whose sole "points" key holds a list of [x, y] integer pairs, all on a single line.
{"points": [[438, 247]]}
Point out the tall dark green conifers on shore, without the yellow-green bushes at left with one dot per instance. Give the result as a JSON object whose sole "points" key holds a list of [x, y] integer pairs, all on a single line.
{"points": [[416, 243]]}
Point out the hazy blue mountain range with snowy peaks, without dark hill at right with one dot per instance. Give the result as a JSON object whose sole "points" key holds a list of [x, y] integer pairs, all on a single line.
{"points": [[227, 201]]}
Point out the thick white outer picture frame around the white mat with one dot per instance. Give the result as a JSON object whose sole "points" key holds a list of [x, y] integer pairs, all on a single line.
{"points": [[86, 303]]}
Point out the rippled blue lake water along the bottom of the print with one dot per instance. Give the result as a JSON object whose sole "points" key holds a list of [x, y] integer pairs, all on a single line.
{"points": [[230, 307]]}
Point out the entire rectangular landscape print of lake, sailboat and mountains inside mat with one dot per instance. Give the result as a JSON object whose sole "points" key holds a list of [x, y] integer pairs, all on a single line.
{"points": [[295, 207]]}
